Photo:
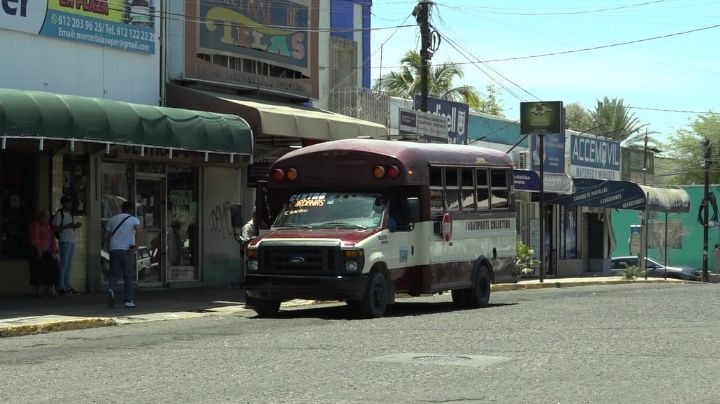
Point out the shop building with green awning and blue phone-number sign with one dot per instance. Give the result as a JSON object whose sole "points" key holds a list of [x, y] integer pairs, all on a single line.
{"points": [[82, 117]]}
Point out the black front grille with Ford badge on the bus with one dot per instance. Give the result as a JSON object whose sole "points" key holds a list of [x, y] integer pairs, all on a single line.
{"points": [[299, 260]]}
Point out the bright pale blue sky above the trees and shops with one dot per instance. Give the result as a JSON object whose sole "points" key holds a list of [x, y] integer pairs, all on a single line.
{"points": [[678, 71]]}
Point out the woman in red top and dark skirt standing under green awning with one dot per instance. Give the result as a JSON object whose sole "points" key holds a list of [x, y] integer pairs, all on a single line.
{"points": [[44, 267]]}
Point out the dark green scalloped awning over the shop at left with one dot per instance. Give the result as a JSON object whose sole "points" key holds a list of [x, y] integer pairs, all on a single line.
{"points": [[37, 114]]}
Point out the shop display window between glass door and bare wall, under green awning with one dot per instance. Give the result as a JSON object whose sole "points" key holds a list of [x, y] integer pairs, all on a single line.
{"points": [[183, 232]]}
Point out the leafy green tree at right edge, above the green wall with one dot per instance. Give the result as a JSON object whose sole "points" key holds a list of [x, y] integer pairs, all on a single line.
{"points": [[686, 150]]}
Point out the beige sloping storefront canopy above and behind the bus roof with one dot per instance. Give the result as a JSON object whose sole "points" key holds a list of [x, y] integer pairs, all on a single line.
{"points": [[293, 122]]}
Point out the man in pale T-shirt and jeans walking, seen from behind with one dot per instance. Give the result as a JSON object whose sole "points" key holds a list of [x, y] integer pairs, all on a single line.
{"points": [[122, 233]]}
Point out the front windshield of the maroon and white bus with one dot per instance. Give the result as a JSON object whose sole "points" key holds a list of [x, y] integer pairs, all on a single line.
{"points": [[332, 210]]}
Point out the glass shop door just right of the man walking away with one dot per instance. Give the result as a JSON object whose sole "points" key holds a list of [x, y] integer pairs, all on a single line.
{"points": [[151, 212]]}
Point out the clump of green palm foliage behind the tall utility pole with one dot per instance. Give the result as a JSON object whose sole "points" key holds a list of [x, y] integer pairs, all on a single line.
{"points": [[405, 83]]}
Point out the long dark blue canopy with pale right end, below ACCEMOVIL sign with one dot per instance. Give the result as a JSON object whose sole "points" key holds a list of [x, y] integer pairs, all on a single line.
{"points": [[624, 195]]}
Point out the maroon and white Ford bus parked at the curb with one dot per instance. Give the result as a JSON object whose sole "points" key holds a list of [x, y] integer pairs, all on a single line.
{"points": [[360, 220]]}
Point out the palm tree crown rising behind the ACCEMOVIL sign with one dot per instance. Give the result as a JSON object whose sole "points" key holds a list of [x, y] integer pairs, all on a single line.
{"points": [[613, 120]]}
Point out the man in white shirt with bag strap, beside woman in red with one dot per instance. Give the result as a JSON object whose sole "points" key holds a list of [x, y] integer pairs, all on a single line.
{"points": [[64, 226]]}
